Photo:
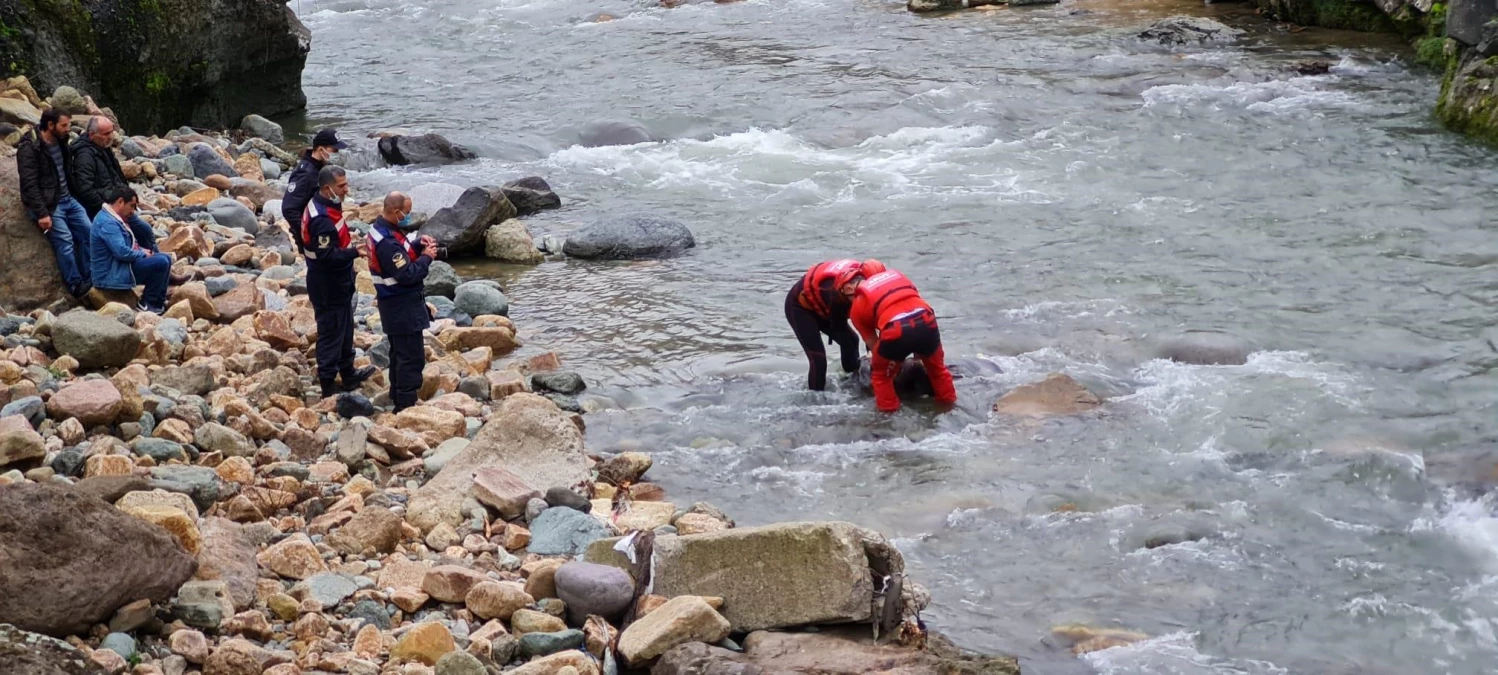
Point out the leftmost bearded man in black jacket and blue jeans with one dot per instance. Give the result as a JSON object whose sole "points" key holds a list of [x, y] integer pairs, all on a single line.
{"points": [[44, 165]]}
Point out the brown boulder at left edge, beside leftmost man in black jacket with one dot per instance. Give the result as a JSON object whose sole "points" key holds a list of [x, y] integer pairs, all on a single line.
{"points": [[28, 267]]}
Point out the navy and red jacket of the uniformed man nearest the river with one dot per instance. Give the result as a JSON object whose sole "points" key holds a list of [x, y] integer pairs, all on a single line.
{"points": [[401, 273]]}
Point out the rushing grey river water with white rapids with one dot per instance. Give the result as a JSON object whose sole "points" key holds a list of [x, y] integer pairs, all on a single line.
{"points": [[1066, 195]]}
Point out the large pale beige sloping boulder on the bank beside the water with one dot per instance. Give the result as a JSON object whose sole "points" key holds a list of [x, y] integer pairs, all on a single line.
{"points": [[528, 436]]}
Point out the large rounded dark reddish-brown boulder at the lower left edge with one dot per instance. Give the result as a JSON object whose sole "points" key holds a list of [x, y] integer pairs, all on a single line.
{"points": [[73, 561]]}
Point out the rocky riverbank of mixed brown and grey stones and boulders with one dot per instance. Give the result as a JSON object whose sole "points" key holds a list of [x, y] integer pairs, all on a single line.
{"points": [[182, 501]]}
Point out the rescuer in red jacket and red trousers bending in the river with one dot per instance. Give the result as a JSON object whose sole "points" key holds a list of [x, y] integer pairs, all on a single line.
{"points": [[897, 323]]}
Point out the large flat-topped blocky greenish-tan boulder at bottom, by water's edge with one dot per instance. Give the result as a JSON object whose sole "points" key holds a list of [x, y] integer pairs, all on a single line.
{"points": [[792, 574]]}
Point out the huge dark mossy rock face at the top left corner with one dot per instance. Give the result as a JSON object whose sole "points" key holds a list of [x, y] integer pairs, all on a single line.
{"points": [[158, 67]]}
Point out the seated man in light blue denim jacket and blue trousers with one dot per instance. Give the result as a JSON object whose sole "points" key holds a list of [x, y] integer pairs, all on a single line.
{"points": [[125, 252]]}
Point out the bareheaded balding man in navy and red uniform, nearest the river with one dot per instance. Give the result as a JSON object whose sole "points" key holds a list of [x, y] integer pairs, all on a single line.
{"points": [[401, 273]]}
